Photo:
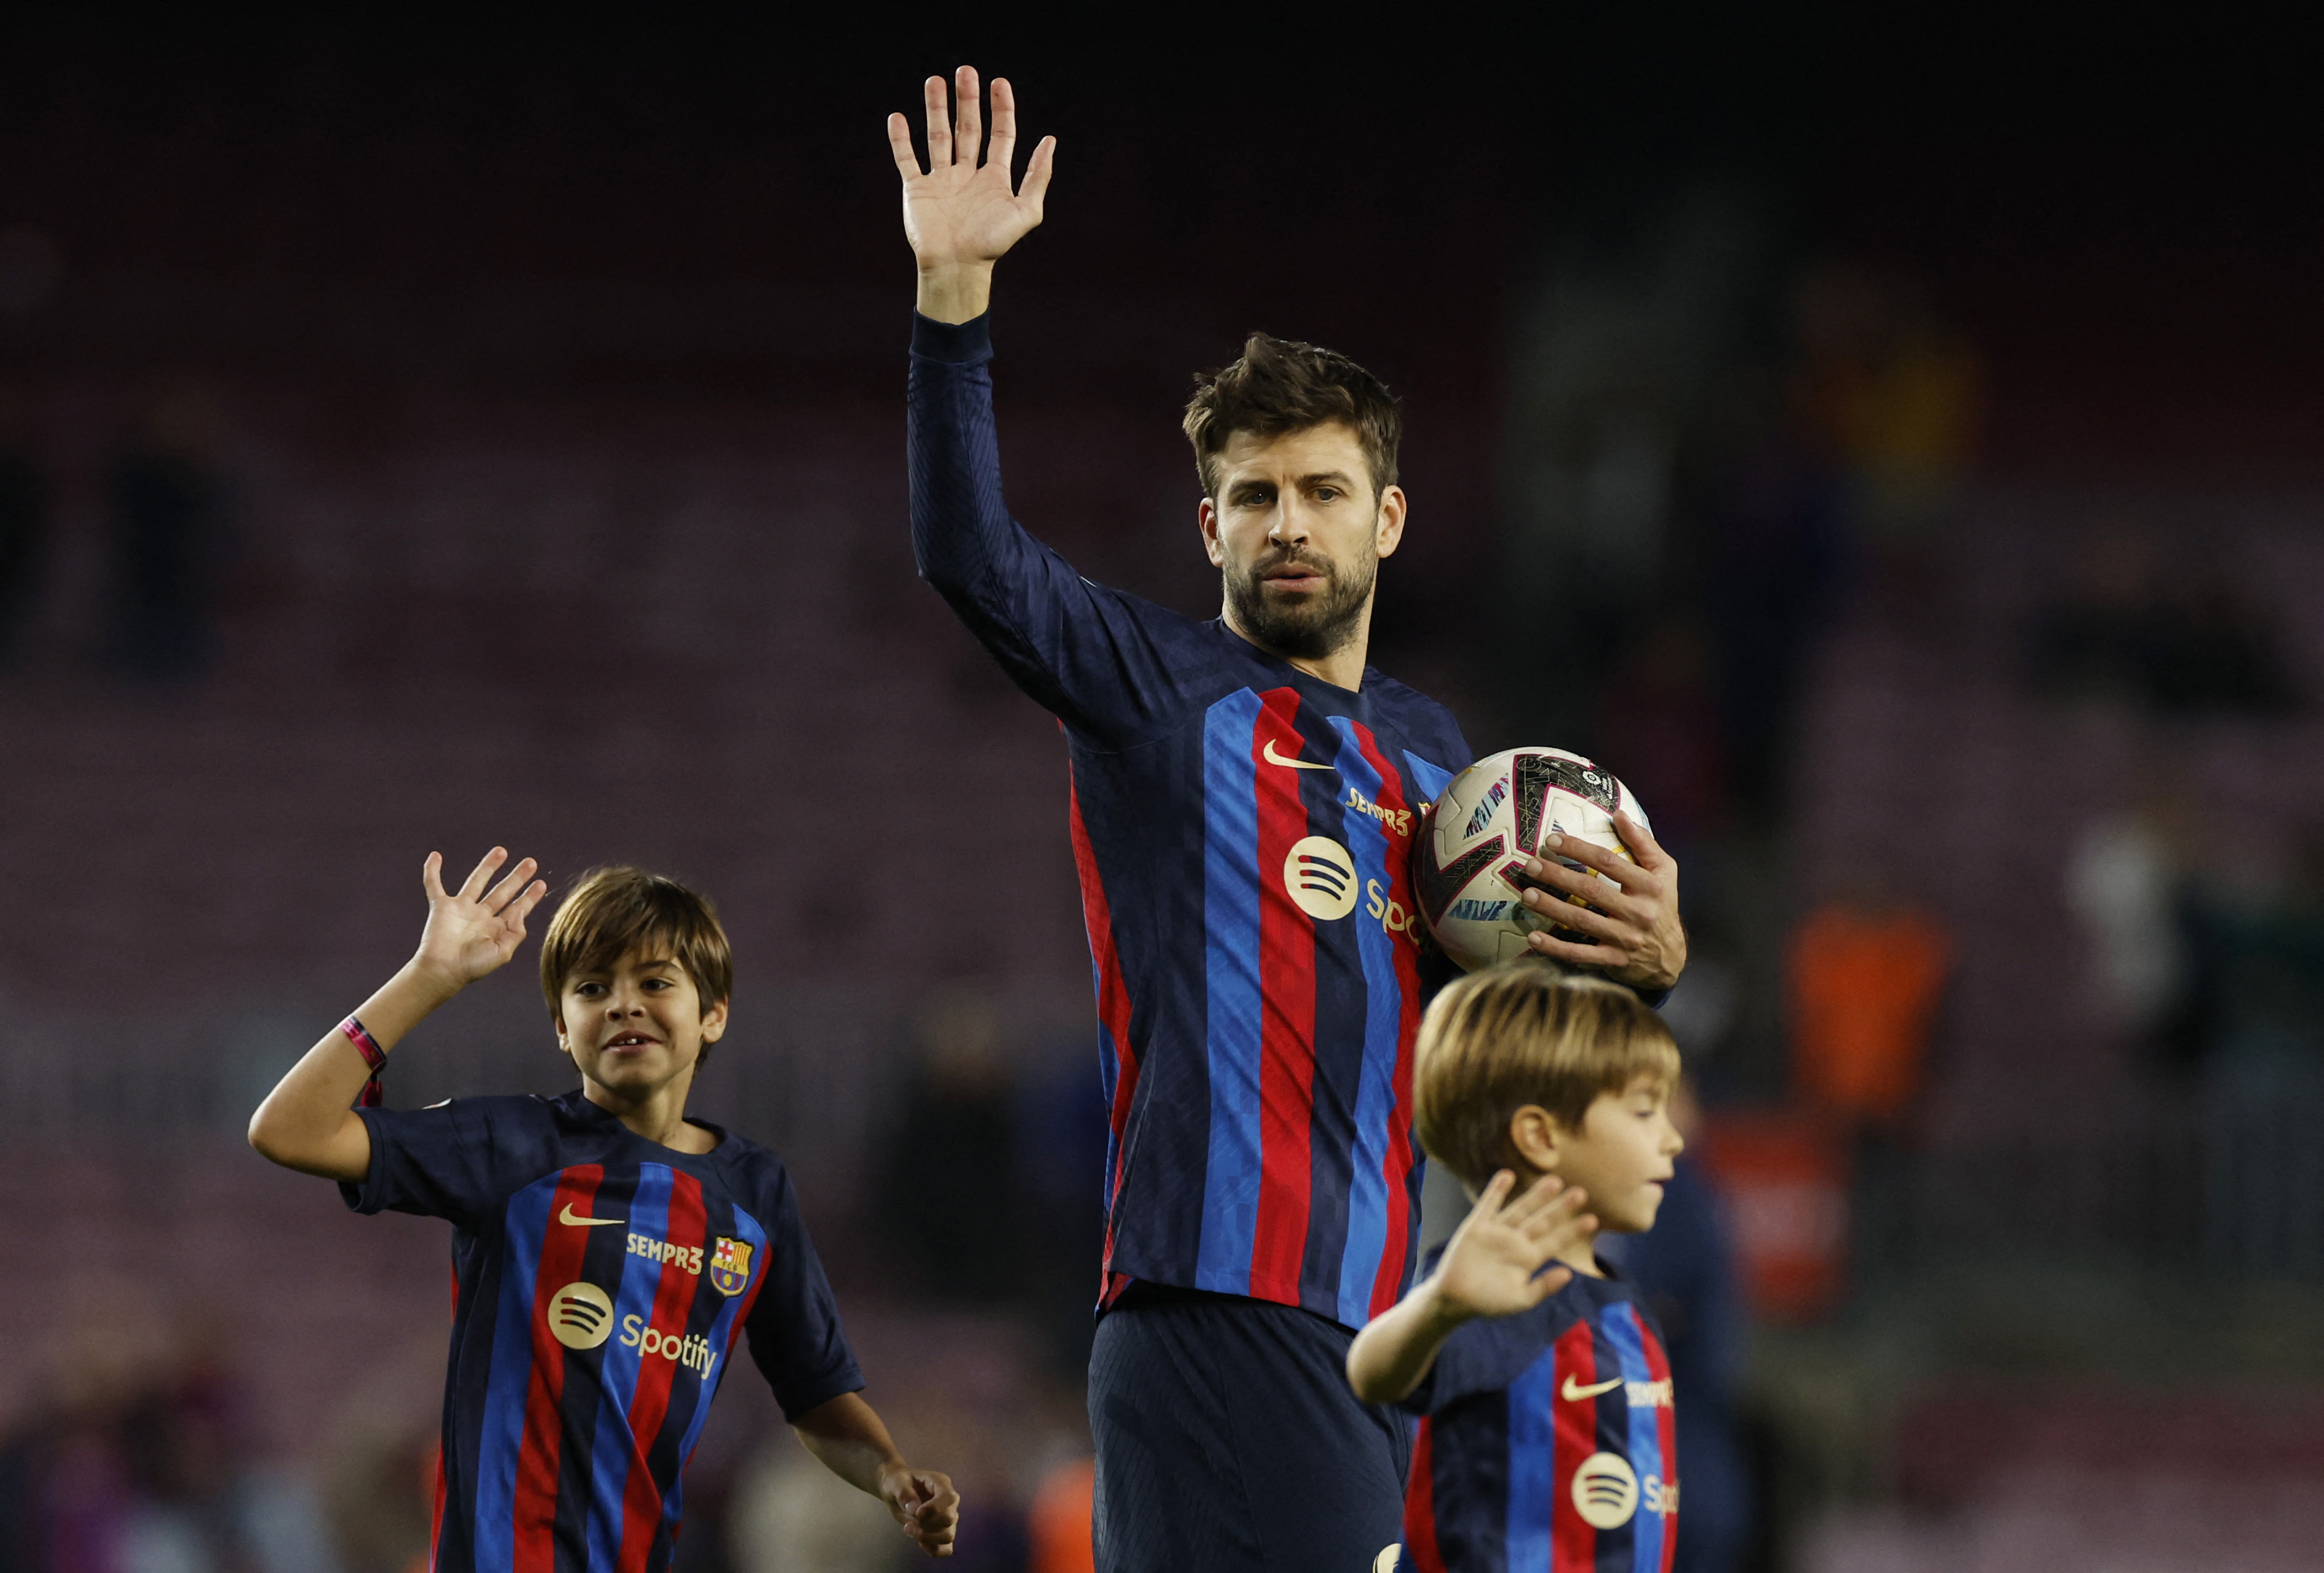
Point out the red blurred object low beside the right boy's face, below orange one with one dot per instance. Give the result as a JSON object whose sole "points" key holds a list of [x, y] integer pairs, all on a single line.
{"points": [[1786, 1186]]}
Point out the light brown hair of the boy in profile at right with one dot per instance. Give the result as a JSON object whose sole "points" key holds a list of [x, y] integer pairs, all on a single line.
{"points": [[1526, 1035]]}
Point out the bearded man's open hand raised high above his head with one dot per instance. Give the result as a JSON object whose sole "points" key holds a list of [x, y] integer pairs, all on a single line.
{"points": [[963, 213]]}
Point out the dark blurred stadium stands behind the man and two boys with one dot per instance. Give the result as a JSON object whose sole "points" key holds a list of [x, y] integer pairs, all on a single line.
{"points": [[1902, 459]]}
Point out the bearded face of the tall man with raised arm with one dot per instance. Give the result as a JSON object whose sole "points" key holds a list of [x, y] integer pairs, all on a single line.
{"points": [[1298, 538]]}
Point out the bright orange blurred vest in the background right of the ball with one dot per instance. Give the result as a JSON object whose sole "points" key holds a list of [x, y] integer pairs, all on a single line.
{"points": [[1865, 991]]}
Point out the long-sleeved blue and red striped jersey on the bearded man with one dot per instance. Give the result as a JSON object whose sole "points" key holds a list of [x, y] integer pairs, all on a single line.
{"points": [[1242, 835]]}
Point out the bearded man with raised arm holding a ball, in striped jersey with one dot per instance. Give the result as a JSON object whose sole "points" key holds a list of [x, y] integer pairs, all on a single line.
{"points": [[1245, 800]]}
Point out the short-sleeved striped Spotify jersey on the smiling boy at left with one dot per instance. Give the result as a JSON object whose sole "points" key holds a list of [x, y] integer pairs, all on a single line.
{"points": [[598, 1291]]}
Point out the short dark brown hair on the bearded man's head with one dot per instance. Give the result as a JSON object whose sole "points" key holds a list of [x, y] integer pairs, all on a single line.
{"points": [[1286, 387]]}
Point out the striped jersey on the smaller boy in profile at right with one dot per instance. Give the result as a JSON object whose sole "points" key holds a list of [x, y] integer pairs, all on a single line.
{"points": [[1547, 1444]]}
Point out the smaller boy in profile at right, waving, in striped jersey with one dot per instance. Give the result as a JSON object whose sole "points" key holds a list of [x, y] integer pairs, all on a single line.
{"points": [[1544, 1395]]}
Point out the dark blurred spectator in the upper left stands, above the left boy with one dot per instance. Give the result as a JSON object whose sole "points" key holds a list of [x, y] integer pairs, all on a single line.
{"points": [[168, 526]]}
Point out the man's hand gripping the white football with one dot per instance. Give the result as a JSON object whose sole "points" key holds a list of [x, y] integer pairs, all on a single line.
{"points": [[1633, 910]]}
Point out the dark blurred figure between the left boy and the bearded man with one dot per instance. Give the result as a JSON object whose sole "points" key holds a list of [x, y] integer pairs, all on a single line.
{"points": [[949, 1186]]}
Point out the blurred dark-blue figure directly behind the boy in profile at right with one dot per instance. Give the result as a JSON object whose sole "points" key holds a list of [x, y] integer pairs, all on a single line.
{"points": [[1688, 1270]]}
